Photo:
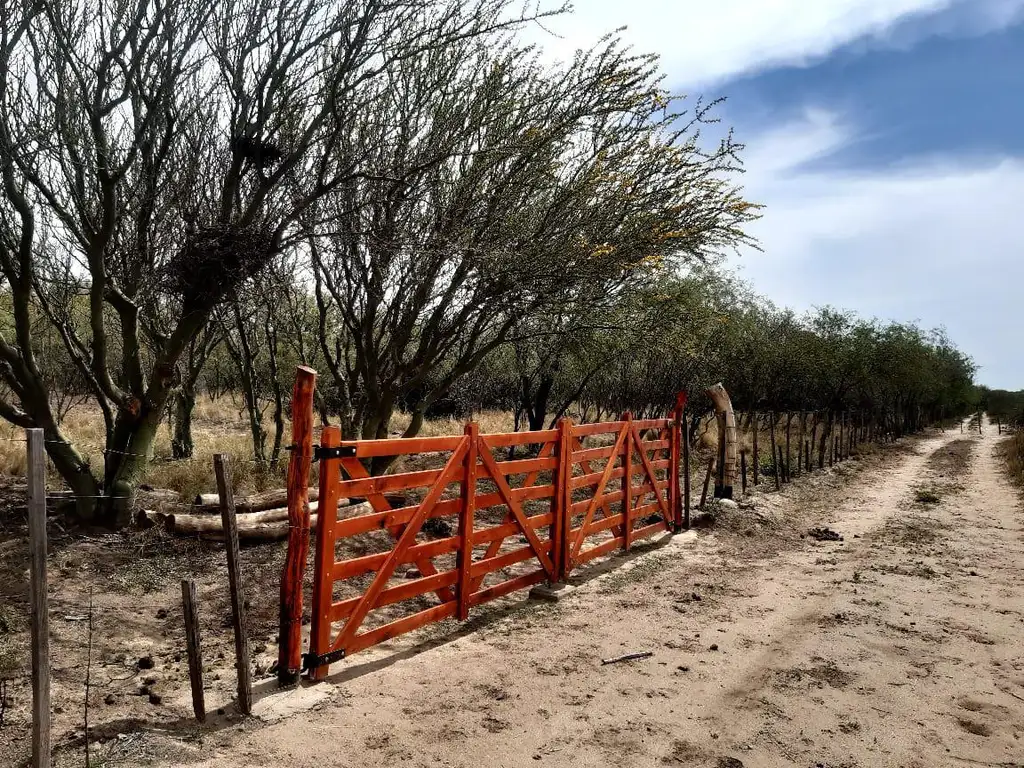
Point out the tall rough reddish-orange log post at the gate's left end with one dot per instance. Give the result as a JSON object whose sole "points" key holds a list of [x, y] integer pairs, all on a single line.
{"points": [[290, 649]]}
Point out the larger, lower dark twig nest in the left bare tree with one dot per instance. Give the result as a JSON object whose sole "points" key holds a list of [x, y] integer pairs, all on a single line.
{"points": [[216, 262]]}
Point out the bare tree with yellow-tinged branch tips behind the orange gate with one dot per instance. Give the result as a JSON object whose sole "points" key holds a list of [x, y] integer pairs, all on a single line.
{"points": [[507, 190]]}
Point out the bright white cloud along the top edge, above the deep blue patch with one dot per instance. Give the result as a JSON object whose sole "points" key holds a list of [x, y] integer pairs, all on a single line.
{"points": [[704, 42]]}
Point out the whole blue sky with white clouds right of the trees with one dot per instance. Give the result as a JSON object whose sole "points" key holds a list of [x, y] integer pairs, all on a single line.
{"points": [[886, 140]]}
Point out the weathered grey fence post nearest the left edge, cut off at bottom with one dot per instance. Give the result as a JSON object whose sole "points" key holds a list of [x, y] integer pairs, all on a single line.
{"points": [[39, 601]]}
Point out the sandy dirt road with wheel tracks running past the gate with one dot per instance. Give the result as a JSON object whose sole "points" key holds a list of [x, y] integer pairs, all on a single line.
{"points": [[901, 646]]}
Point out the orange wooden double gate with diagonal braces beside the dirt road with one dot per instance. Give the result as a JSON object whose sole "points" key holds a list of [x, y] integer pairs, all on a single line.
{"points": [[465, 524]]}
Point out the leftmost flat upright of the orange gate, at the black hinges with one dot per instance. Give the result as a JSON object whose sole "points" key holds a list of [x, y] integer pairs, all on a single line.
{"points": [[321, 619]]}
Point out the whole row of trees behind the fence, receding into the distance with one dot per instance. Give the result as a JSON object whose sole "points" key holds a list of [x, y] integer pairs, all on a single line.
{"points": [[399, 193]]}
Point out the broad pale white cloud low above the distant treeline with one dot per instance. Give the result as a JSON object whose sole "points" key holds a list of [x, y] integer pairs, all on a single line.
{"points": [[935, 242]]}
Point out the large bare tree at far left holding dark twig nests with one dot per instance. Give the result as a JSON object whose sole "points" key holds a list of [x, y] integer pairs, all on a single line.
{"points": [[158, 154]]}
